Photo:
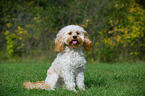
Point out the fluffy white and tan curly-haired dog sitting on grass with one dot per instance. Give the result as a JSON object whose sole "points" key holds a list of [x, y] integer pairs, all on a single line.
{"points": [[69, 65]]}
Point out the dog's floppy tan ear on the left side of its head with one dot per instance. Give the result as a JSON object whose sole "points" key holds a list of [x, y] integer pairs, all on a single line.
{"points": [[59, 44]]}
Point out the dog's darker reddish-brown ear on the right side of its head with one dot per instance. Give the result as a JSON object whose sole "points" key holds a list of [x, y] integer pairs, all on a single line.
{"points": [[87, 42]]}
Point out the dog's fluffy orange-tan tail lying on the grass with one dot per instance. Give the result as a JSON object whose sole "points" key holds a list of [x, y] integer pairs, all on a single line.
{"points": [[35, 85]]}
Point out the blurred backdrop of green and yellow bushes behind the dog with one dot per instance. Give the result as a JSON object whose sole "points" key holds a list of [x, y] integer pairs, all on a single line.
{"points": [[116, 27]]}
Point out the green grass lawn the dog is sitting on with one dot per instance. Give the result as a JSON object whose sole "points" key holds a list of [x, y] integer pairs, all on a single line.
{"points": [[101, 79]]}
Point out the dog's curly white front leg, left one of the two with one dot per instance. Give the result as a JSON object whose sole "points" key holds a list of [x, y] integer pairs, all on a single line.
{"points": [[69, 80]]}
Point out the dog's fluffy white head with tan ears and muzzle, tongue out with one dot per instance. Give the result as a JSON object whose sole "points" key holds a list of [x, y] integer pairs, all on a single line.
{"points": [[72, 36]]}
